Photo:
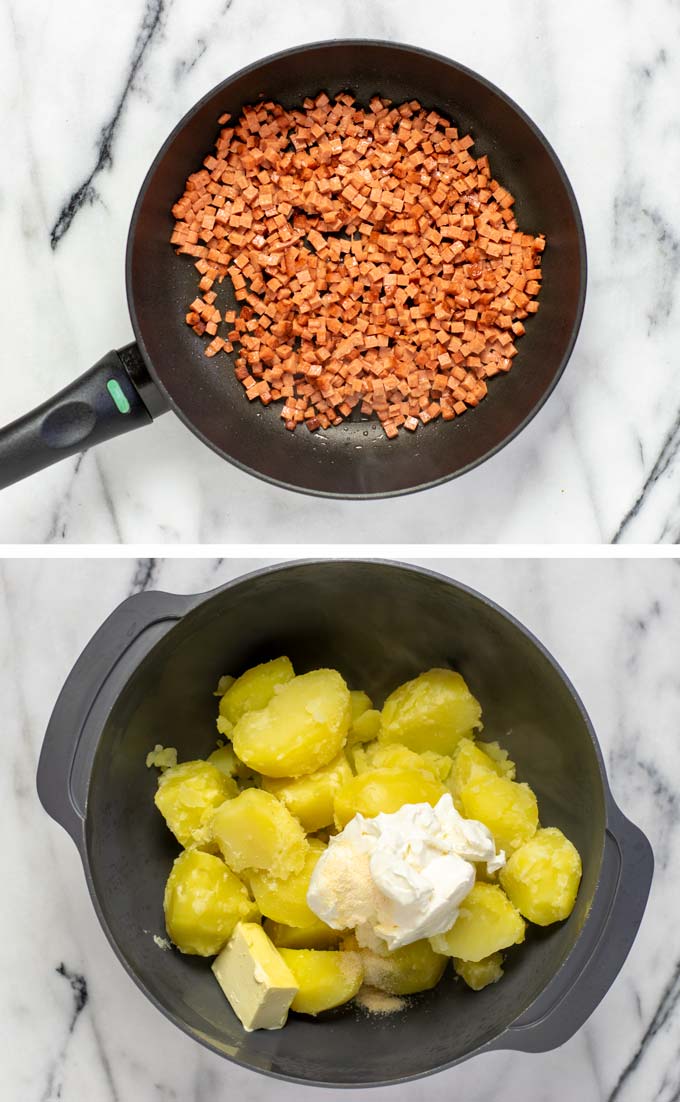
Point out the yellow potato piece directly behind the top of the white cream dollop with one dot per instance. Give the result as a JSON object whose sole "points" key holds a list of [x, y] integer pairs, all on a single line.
{"points": [[385, 791]]}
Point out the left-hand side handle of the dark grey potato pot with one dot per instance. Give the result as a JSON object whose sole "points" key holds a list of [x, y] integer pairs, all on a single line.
{"points": [[74, 728]]}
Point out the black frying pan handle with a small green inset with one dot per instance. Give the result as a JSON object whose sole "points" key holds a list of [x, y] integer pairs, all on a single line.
{"points": [[114, 397]]}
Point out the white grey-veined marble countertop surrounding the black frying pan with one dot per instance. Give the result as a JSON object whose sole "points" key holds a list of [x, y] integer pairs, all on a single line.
{"points": [[90, 92]]}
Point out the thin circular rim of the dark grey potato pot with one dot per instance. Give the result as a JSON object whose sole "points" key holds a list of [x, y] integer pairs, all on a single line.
{"points": [[199, 601]]}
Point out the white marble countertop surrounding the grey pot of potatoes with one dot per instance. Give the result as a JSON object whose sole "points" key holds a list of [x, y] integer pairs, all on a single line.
{"points": [[75, 1028]]}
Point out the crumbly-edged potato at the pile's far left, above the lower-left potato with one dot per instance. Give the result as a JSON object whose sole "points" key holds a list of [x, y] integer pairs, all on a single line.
{"points": [[188, 796]]}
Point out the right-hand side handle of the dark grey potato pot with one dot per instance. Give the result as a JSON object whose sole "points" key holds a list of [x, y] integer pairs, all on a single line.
{"points": [[605, 944]]}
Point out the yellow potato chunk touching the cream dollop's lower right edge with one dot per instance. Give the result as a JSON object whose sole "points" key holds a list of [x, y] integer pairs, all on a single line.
{"points": [[488, 922]]}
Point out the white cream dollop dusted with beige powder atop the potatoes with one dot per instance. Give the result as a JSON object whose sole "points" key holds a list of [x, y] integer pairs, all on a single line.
{"points": [[403, 877]]}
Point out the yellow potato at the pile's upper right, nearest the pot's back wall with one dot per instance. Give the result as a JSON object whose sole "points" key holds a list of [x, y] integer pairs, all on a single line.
{"points": [[430, 714]]}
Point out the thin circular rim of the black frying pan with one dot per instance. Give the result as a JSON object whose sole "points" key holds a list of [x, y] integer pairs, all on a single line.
{"points": [[401, 48]]}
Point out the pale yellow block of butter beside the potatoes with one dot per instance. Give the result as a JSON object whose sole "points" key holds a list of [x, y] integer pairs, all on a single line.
{"points": [[254, 977]]}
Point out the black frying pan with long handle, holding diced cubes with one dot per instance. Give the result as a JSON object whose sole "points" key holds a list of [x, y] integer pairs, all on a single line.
{"points": [[167, 370]]}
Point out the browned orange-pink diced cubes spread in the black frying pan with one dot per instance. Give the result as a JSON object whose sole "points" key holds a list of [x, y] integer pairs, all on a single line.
{"points": [[376, 264]]}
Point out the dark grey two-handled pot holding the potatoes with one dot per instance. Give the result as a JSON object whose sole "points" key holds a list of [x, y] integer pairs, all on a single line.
{"points": [[148, 676]]}
